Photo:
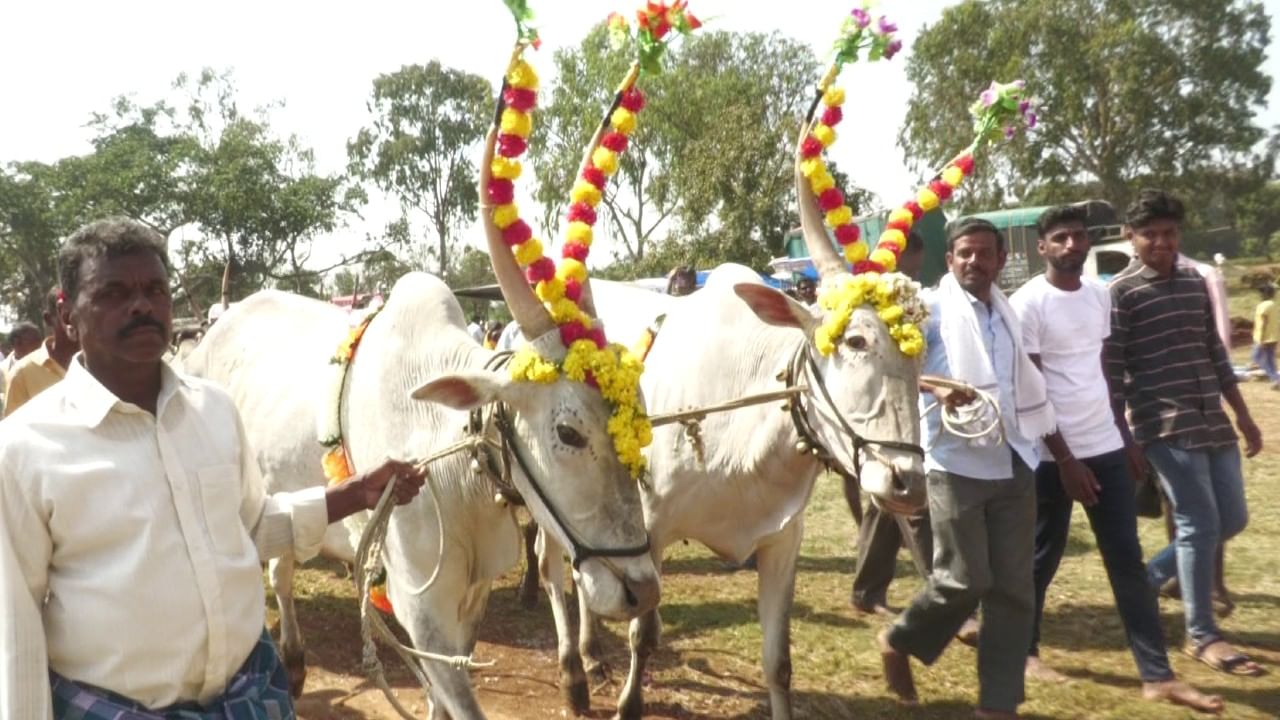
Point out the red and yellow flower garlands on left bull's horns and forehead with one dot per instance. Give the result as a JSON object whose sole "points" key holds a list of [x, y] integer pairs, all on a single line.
{"points": [[578, 348]]}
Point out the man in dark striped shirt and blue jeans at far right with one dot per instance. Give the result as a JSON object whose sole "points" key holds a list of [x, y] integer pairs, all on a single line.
{"points": [[1167, 362]]}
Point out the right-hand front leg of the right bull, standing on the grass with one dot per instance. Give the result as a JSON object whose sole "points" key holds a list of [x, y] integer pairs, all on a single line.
{"points": [[778, 584]]}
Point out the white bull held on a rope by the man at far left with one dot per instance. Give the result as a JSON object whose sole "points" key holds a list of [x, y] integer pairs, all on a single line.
{"points": [[273, 354]]}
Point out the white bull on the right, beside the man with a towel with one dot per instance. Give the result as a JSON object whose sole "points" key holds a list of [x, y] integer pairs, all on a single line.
{"points": [[747, 487]]}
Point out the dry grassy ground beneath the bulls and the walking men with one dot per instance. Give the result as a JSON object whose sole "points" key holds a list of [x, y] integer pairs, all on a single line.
{"points": [[708, 666]]}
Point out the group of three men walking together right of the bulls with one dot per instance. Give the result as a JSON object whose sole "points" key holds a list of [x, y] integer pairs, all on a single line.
{"points": [[1054, 354]]}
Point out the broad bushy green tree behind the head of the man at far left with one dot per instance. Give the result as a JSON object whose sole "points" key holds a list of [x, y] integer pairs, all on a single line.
{"points": [[253, 199]]}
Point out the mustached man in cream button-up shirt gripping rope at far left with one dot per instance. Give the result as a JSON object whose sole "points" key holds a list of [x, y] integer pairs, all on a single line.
{"points": [[134, 520]]}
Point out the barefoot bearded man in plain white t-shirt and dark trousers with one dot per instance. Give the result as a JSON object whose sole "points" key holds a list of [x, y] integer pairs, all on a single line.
{"points": [[1064, 320]]}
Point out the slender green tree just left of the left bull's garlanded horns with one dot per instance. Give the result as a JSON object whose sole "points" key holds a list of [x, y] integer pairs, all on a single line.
{"points": [[427, 122]]}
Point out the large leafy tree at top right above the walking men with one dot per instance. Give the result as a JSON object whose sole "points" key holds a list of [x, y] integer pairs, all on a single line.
{"points": [[1139, 92]]}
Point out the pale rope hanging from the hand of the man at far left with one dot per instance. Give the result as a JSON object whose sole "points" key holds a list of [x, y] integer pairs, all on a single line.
{"points": [[369, 562]]}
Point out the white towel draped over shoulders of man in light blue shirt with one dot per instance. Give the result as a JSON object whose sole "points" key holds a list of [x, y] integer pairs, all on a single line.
{"points": [[968, 361]]}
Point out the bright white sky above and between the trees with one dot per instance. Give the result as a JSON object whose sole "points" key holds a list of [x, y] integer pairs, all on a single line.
{"points": [[66, 60]]}
